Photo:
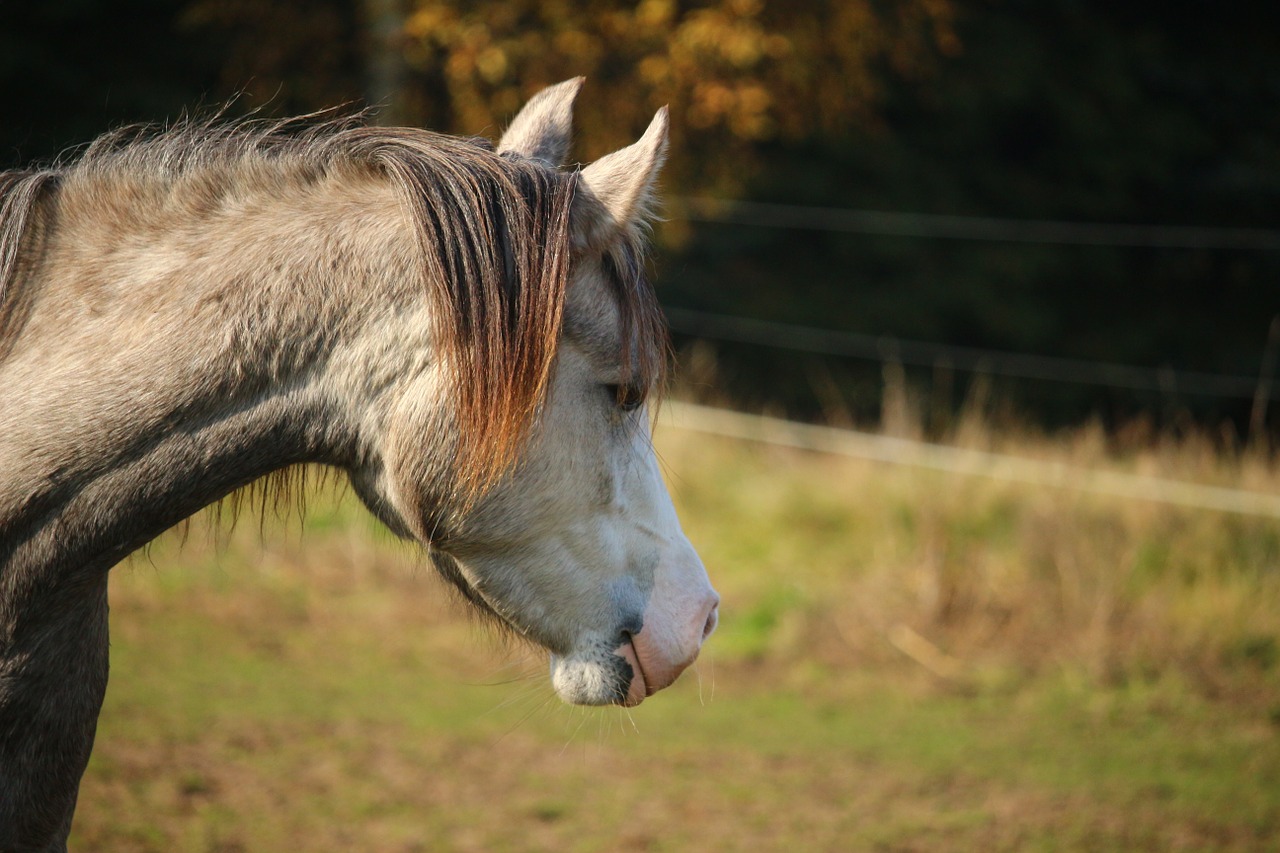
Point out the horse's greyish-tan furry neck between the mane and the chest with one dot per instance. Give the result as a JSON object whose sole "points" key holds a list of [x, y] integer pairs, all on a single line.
{"points": [[172, 353]]}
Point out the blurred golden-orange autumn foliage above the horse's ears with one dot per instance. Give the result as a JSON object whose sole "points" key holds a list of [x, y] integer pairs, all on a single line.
{"points": [[735, 72]]}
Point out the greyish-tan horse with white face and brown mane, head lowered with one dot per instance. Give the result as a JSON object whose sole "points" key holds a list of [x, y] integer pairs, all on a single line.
{"points": [[464, 331]]}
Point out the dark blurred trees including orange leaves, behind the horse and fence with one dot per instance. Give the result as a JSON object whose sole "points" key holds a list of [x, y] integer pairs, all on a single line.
{"points": [[1053, 110]]}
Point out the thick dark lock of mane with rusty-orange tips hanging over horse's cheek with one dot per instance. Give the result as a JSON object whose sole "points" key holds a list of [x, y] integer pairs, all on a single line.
{"points": [[496, 249]]}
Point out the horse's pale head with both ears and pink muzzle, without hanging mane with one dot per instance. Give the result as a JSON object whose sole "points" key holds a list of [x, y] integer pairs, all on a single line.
{"points": [[577, 545]]}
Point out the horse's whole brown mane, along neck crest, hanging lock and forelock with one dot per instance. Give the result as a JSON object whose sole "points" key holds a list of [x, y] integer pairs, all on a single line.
{"points": [[493, 234]]}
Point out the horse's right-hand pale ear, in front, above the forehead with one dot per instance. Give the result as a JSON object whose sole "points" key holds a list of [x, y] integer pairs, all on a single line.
{"points": [[618, 191]]}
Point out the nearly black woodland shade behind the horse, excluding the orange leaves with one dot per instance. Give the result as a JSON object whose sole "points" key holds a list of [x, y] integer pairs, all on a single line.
{"points": [[1066, 111]]}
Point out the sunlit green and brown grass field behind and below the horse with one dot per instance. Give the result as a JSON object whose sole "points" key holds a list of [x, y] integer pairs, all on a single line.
{"points": [[907, 662]]}
